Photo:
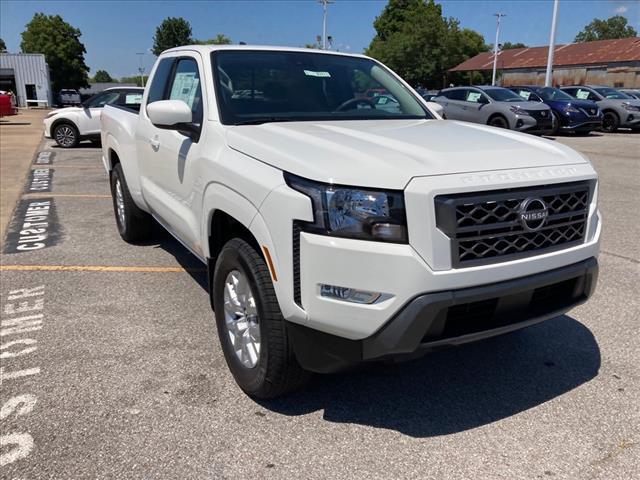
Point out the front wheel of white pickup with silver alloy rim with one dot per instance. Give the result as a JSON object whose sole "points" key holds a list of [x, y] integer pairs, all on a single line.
{"points": [[260, 357]]}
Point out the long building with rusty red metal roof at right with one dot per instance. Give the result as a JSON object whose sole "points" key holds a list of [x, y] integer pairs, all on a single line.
{"points": [[613, 63]]}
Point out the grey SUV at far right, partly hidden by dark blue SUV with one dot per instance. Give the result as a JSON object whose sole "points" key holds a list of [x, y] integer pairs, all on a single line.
{"points": [[618, 108]]}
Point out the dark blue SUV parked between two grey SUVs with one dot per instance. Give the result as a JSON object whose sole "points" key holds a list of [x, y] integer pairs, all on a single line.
{"points": [[571, 114]]}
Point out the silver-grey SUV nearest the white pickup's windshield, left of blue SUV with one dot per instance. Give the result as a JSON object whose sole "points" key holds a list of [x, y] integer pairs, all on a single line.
{"points": [[495, 106]]}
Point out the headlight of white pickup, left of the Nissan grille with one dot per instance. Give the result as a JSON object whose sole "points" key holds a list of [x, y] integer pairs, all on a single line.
{"points": [[350, 212]]}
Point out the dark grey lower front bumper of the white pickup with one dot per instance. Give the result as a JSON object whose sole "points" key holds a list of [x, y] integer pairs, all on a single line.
{"points": [[452, 317]]}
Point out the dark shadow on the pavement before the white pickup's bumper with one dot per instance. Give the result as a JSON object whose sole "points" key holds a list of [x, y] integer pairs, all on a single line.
{"points": [[458, 389]]}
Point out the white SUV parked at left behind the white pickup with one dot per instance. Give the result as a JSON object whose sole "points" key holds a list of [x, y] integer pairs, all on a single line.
{"points": [[69, 125]]}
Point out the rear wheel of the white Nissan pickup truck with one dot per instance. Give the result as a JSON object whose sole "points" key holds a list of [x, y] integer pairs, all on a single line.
{"points": [[134, 224]]}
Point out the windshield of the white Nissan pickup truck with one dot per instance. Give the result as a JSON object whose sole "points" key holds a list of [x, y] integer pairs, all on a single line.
{"points": [[270, 86]]}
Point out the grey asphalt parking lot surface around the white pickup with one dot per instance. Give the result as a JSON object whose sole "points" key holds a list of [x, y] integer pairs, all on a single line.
{"points": [[111, 352]]}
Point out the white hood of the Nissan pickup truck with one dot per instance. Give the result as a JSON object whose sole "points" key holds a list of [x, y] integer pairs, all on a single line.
{"points": [[389, 153]]}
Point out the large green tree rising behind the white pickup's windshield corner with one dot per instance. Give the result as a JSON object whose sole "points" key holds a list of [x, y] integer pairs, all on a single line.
{"points": [[415, 40]]}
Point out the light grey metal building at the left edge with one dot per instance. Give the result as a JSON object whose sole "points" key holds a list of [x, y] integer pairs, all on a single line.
{"points": [[27, 76]]}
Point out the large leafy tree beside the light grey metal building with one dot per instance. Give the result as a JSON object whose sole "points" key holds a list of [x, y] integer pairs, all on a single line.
{"points": [[62, 48]]}
